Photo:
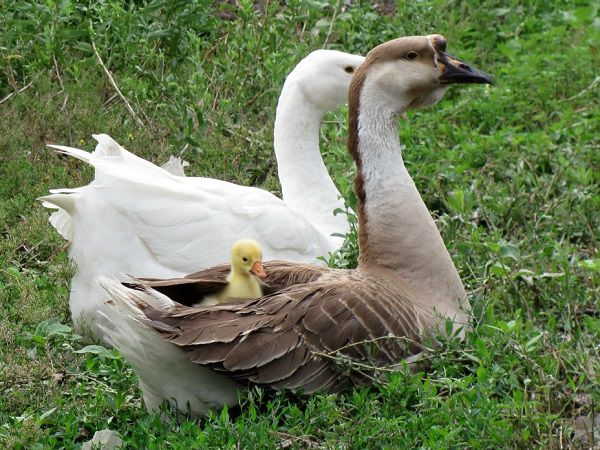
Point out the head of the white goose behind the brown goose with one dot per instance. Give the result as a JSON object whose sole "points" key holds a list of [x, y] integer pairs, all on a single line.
{"points": [[324, 77]]}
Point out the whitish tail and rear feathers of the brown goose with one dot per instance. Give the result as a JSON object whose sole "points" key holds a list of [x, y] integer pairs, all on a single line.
{"points": [[164, 370]]}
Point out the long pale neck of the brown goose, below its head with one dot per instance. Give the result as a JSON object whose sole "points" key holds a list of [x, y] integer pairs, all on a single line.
{"points": [[398, 237]]}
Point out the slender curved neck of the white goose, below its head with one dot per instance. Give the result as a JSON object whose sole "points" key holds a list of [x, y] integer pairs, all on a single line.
{"points": [[305, 183]]}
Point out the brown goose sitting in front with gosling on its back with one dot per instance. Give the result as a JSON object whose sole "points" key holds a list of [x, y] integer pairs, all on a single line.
{"points": [[404, 288]]}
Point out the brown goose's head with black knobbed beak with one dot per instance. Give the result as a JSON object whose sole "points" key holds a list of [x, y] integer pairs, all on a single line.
{"points": [[412, 72]]}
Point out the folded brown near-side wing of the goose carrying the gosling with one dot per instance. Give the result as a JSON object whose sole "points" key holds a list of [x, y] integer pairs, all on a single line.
{"points": [[290, 340]]}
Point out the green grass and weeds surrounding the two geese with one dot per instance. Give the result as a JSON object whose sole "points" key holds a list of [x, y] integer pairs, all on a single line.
{"points": [[510, 172]]}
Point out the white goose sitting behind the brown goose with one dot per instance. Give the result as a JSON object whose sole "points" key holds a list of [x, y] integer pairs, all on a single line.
{"points": [[139, 219]]}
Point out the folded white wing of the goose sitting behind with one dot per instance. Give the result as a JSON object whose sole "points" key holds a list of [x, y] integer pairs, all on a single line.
{"points": [[191, 223]]}
